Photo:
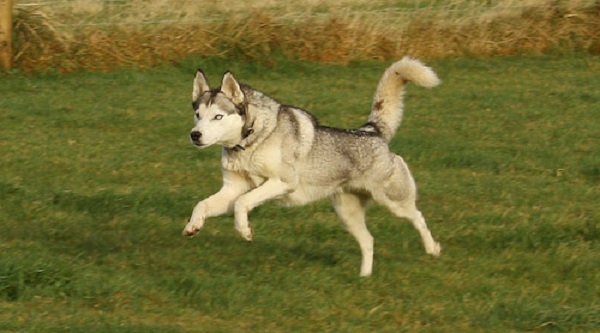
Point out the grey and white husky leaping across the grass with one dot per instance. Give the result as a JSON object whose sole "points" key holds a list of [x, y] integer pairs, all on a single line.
{"points": [[276, 151]]}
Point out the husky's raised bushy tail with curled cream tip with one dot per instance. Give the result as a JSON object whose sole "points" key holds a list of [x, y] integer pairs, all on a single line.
{"points": [[387, 108]]}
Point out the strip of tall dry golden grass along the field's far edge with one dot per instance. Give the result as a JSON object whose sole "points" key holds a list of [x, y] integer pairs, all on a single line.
{"points": [[98, 35]]}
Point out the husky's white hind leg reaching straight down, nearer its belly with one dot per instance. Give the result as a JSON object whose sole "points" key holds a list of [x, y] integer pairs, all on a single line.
{"points": [[351, 211]]}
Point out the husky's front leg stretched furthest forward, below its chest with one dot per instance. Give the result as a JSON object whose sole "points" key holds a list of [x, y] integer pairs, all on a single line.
{"points": [[219, 203]]}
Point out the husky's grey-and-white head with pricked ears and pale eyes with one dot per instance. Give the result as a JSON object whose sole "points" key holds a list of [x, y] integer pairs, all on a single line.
{"points": [[219, 114]]}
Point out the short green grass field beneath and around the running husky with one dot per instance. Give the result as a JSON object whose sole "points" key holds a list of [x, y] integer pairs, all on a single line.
{"points": [[97, 179]]}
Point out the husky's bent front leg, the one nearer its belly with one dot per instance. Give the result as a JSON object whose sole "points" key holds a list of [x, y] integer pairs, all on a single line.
{"points": [[271, 189]]}
